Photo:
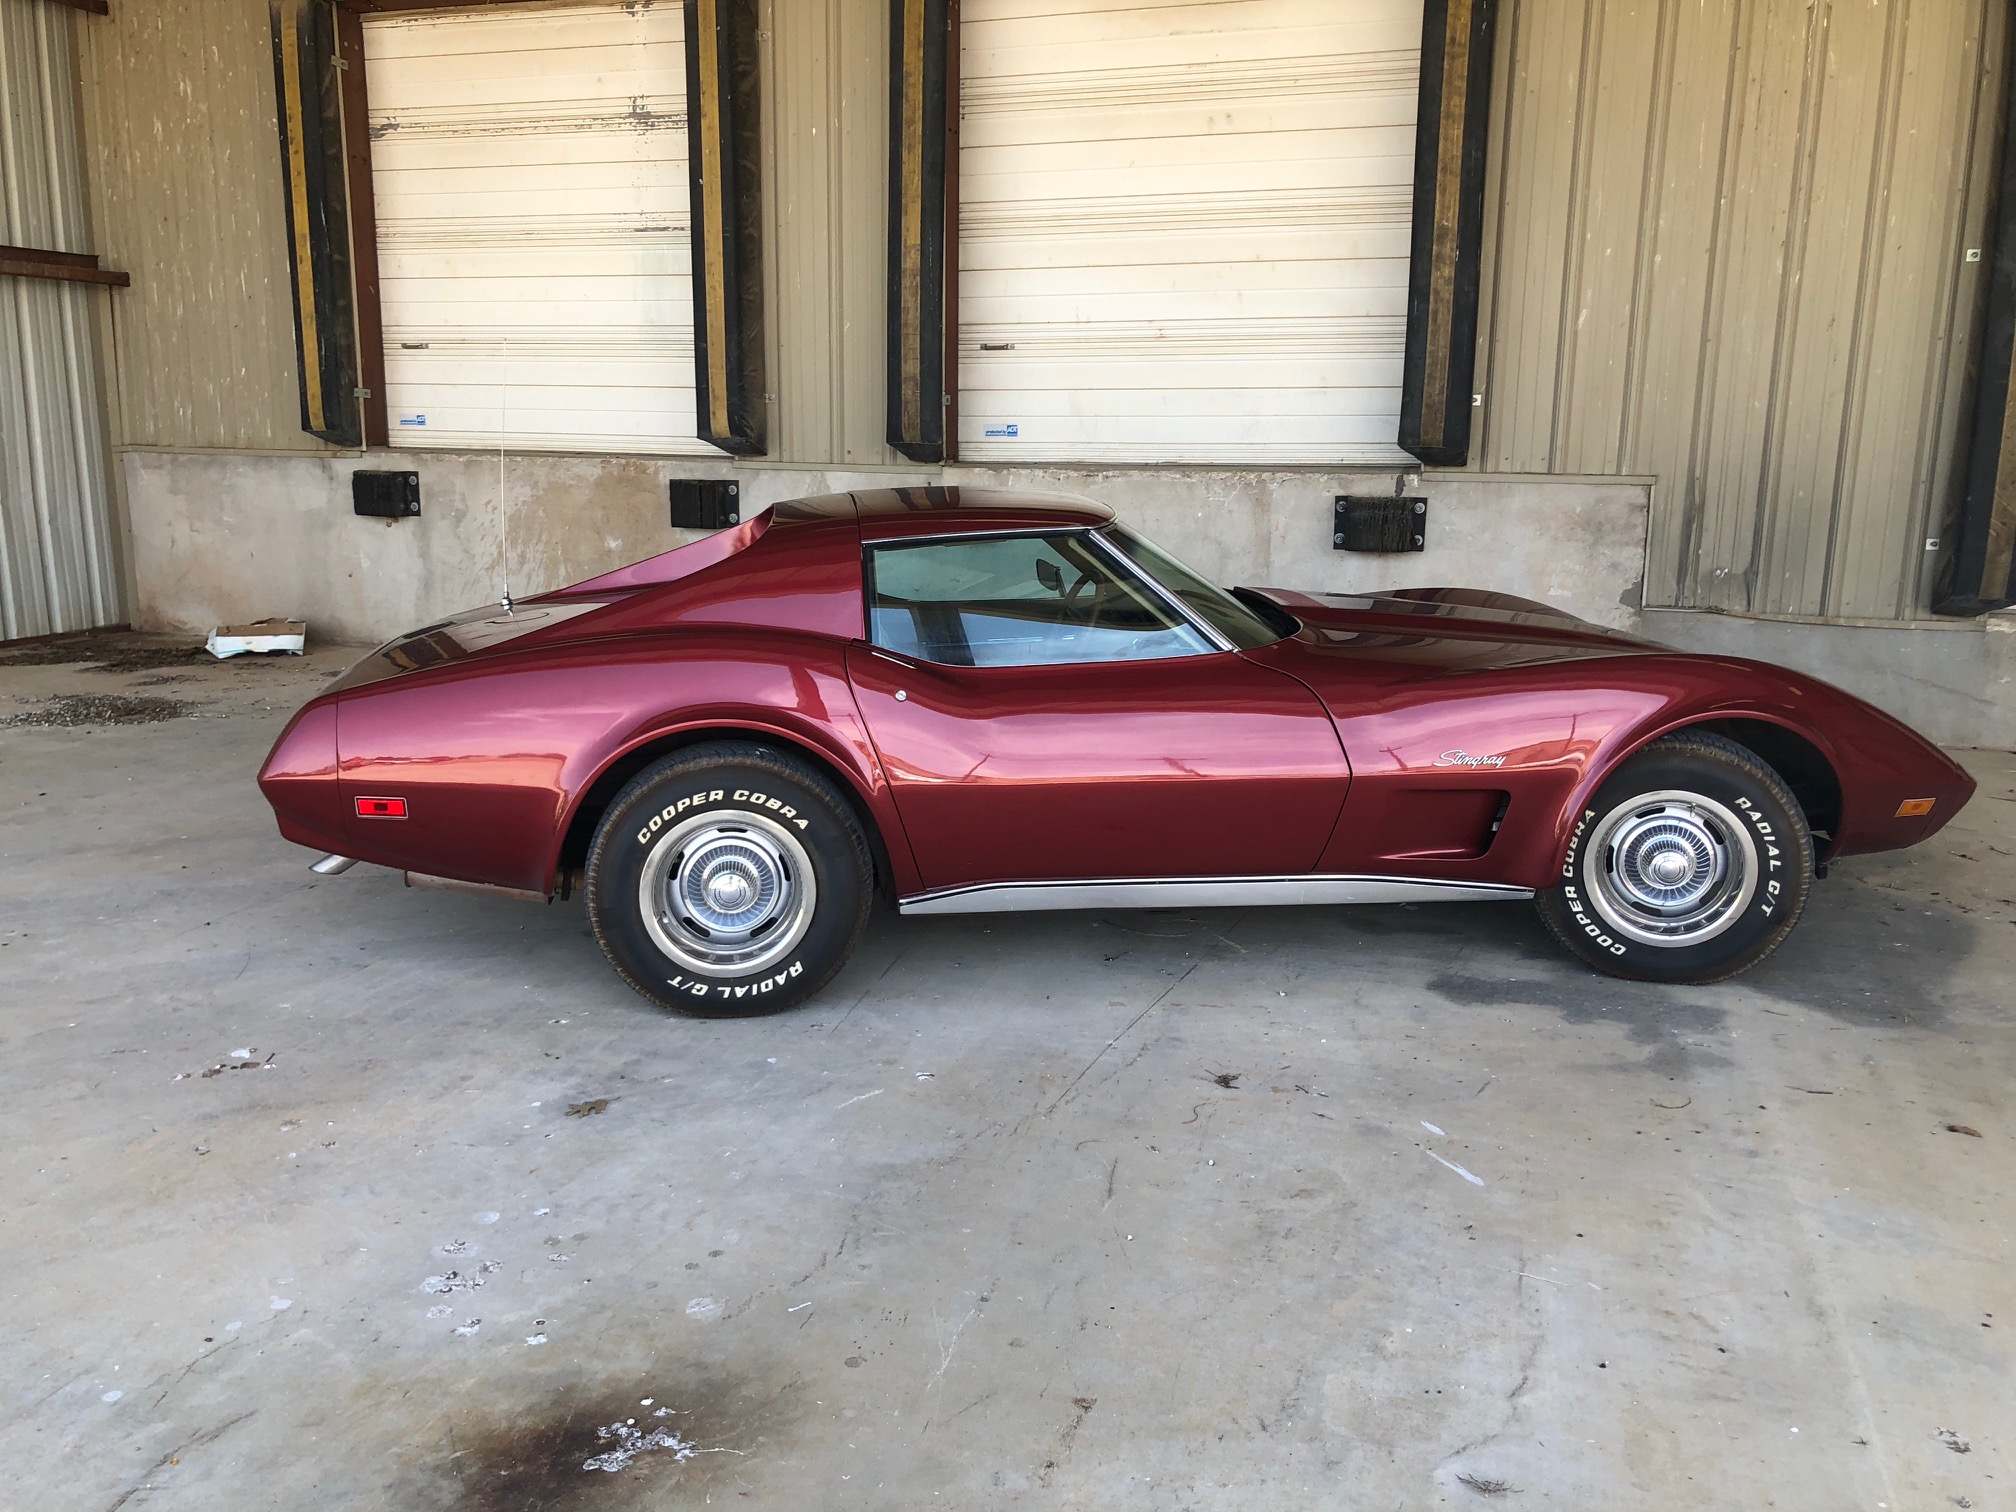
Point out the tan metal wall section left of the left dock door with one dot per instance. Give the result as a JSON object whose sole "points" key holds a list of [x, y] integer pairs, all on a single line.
{"points": [[186, 195]]}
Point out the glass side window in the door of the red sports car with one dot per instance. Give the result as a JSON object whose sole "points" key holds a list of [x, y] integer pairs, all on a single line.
{"points": [[1019, 602]]}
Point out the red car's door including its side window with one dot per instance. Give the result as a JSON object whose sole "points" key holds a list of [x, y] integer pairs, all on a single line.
{"points": [[1045, 715]]}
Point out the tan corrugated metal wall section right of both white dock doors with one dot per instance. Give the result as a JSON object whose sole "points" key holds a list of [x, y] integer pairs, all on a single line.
{"points": [[1727, 251]]}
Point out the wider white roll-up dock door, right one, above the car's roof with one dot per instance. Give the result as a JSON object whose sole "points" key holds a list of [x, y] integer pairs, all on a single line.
{"points": [[1184, 229]]}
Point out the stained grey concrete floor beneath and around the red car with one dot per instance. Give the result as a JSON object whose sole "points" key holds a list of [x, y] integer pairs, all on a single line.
{"points": [[1136, 1211]]}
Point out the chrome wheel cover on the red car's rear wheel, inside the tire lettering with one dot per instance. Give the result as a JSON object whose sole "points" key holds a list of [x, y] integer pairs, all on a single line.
{"points": [[727, 894]]}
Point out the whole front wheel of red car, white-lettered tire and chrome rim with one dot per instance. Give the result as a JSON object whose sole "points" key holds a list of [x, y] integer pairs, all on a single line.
{"points": [[1690, 864]]}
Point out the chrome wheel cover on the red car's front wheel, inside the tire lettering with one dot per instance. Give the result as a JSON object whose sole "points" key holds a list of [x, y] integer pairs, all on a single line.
{"points": [[1672, 868]]}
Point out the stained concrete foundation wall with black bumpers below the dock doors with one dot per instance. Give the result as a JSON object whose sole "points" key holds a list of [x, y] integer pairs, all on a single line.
{"points": [[229, 537]]}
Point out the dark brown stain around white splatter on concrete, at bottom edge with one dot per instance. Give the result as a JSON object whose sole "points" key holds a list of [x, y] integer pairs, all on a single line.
{"points": [[533, 1461]]}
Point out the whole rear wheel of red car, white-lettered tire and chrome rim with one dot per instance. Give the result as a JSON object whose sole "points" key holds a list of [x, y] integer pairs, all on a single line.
{"points": [[729, 880]]}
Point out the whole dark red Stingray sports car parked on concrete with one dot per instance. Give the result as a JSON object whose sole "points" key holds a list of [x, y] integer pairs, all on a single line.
{"points": [[979, 701]]}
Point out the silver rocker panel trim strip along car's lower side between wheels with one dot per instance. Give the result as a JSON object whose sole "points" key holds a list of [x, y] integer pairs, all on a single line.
{"points": [[1203, 892]]}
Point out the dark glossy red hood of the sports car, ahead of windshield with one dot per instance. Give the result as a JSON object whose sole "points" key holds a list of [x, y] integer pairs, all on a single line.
{"points": [[1446, 630]]}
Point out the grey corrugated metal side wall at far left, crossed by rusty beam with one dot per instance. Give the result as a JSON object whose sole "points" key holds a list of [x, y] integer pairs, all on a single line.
{"points": [[57, 565]]}
